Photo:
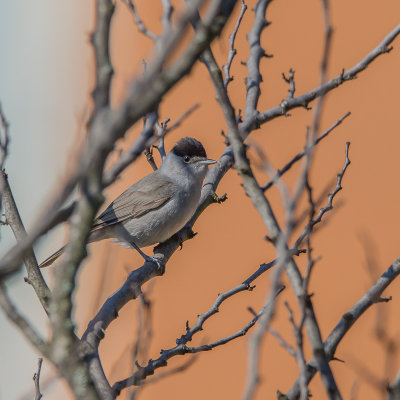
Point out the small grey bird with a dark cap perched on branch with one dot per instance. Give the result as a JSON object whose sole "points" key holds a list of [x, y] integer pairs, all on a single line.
{"points": [[158, 205]]}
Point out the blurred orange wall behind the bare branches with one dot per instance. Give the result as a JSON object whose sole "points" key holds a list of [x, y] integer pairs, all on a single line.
{"points": [[230, 245]]}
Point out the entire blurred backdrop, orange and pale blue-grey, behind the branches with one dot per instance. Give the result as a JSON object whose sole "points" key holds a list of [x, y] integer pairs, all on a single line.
{"points": [[46, 80]]}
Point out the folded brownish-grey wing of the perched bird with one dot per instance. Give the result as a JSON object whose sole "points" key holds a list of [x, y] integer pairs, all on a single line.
{"points": [[136, 201]]}
